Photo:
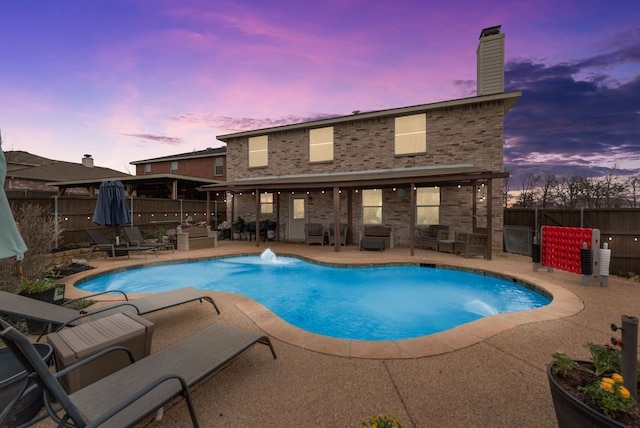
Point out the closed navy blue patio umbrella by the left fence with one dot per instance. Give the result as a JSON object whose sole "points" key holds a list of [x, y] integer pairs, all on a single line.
{"points": [[111, 207]]}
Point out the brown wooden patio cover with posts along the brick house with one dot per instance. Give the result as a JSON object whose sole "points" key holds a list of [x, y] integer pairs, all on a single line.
{"points": [[448, 175]]}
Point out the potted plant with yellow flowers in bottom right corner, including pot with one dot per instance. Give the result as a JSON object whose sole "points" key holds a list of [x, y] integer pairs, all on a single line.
{"points": [[593, 393]]}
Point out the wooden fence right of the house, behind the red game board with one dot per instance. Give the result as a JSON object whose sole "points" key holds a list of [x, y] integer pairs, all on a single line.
{"points": [[619, 228]]}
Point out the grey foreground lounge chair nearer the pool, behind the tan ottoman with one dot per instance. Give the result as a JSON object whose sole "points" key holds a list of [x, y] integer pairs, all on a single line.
{"points": [[57, 317]]}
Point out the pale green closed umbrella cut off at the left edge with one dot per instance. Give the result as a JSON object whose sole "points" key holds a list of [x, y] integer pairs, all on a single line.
{"points": [[11, 242]]}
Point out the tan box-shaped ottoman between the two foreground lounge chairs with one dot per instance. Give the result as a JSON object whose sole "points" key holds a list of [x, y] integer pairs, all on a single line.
{"points": [[74, 344]]}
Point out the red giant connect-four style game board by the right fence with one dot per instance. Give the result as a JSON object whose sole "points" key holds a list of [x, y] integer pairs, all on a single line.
{"points": [[561, 247]]}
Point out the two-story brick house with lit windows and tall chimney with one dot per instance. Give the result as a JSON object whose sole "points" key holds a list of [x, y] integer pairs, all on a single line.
{"points": [[438, 163]]}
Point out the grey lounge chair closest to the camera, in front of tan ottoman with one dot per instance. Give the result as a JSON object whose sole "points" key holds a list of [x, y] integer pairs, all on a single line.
{"points": [[127, 396]]}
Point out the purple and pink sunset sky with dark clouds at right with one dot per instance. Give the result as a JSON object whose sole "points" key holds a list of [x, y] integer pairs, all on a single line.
{"points": [[132, 80]]}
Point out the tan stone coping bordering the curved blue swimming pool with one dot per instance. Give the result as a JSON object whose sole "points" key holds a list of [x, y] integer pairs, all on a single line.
{"points": [[563, 304]]}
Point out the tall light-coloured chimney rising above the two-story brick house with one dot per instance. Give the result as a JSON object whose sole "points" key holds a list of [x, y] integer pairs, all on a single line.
{"points": [[490, 55]]}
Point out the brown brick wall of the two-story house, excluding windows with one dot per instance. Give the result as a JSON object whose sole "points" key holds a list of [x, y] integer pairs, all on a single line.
{"points": [[468, 134]]}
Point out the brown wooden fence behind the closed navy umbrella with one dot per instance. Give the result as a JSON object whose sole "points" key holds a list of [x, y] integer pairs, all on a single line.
{"points": [[75, 214]]}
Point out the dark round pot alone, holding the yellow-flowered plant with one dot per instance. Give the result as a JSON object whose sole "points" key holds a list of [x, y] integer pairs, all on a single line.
{"points": [[571, 412]]}
